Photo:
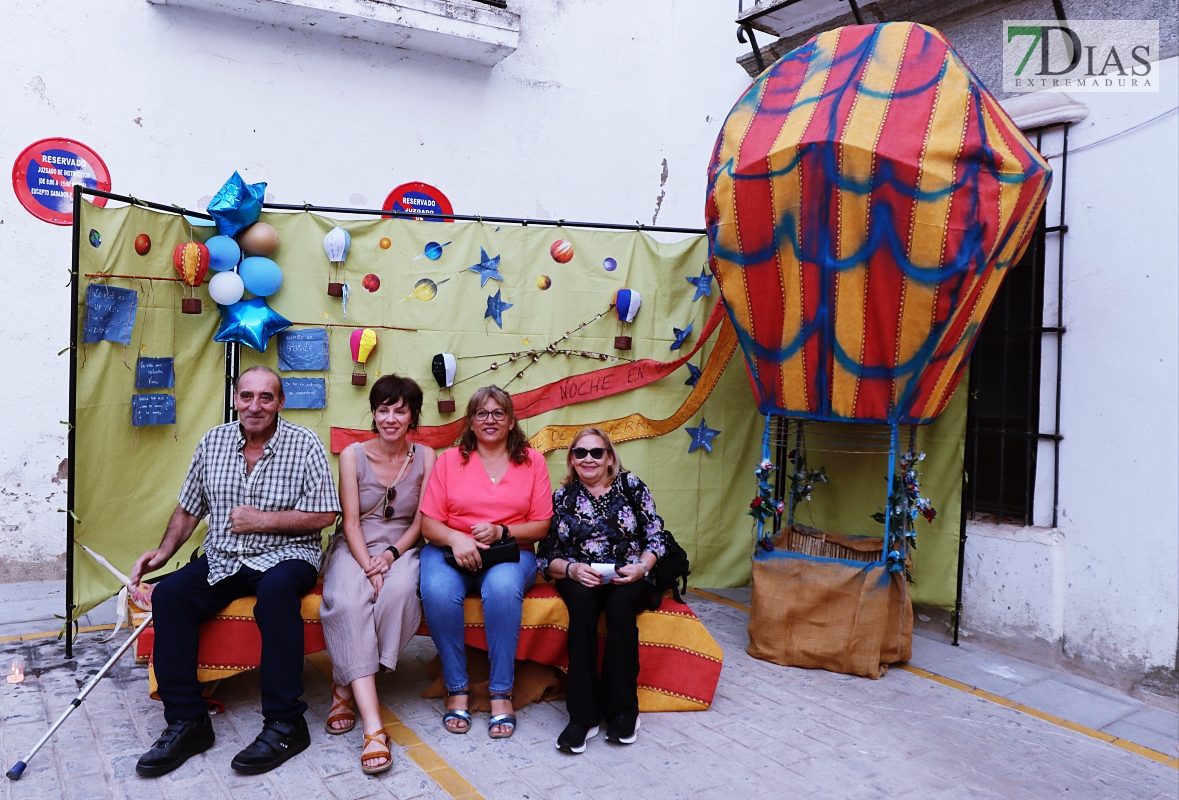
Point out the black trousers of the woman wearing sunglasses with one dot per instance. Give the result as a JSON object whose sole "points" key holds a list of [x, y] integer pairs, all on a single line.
{"points": [[591, 698]]}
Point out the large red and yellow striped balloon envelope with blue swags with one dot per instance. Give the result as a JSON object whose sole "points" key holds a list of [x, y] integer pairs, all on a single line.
{"points": [[865, 200]]}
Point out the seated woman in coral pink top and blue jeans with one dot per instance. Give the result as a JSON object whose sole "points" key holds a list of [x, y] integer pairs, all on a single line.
{"points": [[491, 488]]}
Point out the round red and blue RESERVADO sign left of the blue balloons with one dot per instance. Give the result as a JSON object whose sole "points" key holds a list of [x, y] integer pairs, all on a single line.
{"points": [[45, 174]]}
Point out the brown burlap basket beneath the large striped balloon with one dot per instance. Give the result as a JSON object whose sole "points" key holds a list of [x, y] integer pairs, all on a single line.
{"points": [[845, 616]]}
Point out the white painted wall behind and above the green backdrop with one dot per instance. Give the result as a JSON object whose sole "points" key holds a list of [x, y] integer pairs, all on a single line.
{"points": [[577, 124]]}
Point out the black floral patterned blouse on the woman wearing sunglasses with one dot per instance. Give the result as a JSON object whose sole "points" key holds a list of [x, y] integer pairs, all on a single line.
{"points": [[608, 530]]}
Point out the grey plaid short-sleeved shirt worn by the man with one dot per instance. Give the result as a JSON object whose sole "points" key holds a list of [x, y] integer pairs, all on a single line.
{"points": [[293, 474]]}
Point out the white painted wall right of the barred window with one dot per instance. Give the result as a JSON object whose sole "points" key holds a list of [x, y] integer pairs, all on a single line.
{"points": [[1103, 589]]}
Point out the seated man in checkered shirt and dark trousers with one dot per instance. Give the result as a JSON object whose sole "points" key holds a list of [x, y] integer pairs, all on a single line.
{"points": [[267, 490]]}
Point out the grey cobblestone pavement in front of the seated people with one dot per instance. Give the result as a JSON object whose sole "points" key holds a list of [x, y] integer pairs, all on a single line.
{"points": [[772, 732]]}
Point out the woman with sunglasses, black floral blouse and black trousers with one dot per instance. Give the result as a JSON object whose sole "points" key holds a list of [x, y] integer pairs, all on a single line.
{"points": [[603, 519]]}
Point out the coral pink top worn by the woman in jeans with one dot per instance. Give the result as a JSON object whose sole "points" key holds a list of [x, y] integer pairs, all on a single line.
{"points": [[460, 497]]}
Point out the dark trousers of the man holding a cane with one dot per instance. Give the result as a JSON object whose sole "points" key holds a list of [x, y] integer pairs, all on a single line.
{"points": [[185, 600]]}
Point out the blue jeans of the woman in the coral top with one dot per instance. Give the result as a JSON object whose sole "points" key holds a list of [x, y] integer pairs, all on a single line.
{"points": [[502, 589]]}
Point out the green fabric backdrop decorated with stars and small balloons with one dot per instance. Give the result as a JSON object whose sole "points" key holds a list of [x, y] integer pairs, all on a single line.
{"points": [[127, 480]]}
